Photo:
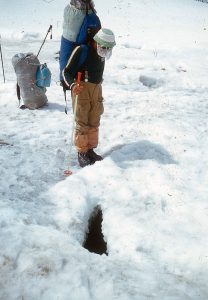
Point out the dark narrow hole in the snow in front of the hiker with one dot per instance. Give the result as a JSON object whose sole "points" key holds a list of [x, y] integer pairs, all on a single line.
{"points": [[94, 241]]}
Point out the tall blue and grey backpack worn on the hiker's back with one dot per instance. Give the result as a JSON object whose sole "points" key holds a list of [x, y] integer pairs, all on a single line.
{"points": [[89, 21]]}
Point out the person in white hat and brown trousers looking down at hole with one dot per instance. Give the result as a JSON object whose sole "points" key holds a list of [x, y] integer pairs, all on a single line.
{"points": [[90, 101]]}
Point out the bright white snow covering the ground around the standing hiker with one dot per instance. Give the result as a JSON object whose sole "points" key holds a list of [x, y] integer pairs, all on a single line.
{"points": [[152, 183]]}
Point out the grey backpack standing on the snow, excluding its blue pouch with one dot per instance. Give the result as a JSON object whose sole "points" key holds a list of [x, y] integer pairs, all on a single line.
{"points": [[26, 66]]}
